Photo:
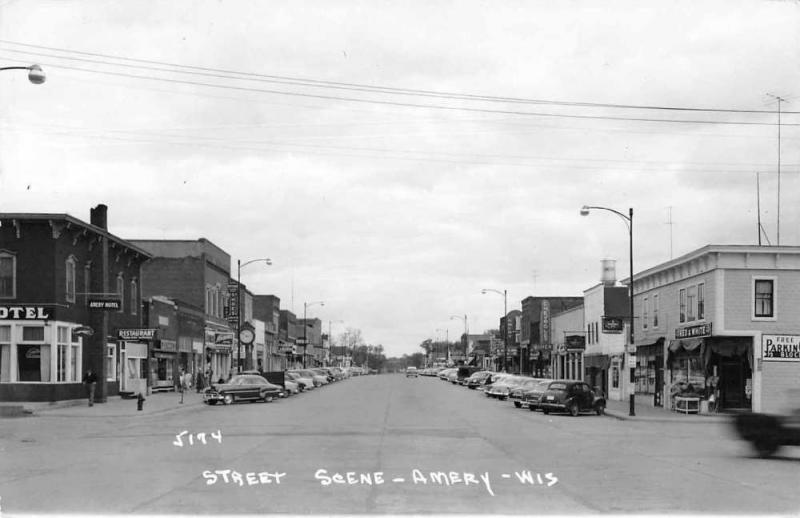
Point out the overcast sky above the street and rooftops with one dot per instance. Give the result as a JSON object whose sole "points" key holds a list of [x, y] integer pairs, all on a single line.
{"points": [[394, 158]]}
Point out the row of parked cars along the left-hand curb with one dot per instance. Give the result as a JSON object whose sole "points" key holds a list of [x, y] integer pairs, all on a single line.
{"points": [[253, 385]]}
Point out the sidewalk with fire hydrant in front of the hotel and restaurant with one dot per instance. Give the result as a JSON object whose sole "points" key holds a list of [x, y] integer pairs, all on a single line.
{"points": [[115, 406]]}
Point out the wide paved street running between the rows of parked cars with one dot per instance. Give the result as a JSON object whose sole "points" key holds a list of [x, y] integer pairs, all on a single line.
{"points": [[438, 448]]}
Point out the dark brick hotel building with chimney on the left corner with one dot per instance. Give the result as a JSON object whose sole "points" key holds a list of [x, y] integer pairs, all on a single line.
{"points": [[68, 289]]}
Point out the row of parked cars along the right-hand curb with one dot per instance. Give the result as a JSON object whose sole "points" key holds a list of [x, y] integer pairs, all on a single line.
{"points": [[548, 395]]}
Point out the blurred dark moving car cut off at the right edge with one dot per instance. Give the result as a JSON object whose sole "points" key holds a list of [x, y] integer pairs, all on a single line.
{"points": [[768, 432]]}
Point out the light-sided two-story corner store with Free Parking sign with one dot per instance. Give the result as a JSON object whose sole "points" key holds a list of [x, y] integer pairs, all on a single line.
{"points": [[725, 318]]}
